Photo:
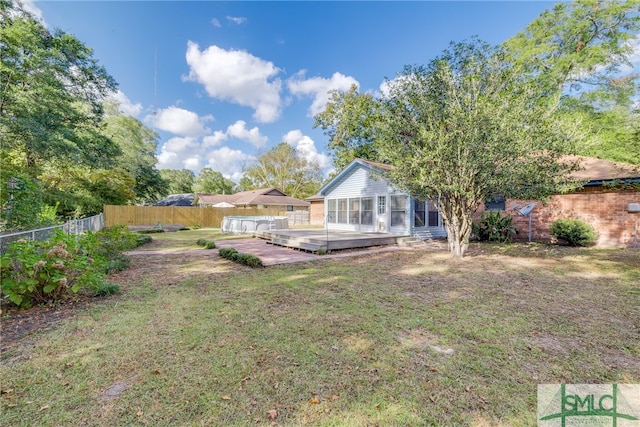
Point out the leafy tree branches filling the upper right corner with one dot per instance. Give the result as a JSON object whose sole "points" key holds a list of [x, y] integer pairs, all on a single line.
{"points": [[579, 54]]}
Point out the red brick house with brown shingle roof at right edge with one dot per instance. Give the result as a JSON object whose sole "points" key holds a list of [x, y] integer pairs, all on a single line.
{"points": [[602, 201]]}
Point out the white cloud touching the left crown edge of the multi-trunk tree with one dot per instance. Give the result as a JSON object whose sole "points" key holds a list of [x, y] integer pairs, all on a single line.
{"points": [[319, 88]]}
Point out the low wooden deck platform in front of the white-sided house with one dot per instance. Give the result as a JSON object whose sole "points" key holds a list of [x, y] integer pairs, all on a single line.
{"points": [[322, 240]]}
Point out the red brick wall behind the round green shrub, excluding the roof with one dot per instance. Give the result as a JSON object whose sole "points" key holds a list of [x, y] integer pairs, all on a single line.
{"points": [[606, 212]]}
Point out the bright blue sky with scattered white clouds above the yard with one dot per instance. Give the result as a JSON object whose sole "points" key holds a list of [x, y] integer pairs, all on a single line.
{"points": [[223, 82]]}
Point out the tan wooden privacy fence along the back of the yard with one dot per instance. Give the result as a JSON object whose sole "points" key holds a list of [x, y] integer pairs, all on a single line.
{"points": [[177, 215]]}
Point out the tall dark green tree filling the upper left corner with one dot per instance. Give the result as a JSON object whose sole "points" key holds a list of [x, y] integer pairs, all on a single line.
{"points": [[51, 94]]}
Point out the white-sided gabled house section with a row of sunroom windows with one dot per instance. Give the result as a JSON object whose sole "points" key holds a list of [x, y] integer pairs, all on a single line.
{"points": [[359, 198]]}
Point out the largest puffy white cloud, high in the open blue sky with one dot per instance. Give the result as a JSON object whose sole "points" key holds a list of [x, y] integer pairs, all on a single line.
{"points": [[238, 77]]}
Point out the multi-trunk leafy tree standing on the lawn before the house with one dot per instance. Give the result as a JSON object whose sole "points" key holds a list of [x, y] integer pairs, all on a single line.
{"points": [[467, 127]]}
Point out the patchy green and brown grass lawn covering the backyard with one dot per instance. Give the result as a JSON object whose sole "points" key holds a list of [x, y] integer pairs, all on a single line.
{"points": [[391, 339]]}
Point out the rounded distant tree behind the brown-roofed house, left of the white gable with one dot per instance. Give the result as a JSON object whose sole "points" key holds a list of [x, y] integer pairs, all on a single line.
{"points": [[282, 168]]}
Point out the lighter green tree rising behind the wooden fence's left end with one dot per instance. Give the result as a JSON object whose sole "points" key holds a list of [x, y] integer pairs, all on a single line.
{"points": [[138, 144]]}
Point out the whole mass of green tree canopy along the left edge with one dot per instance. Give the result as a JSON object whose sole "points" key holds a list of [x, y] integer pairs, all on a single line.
{"points": [[62, 146]]}
